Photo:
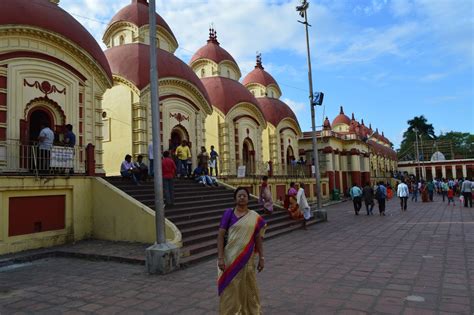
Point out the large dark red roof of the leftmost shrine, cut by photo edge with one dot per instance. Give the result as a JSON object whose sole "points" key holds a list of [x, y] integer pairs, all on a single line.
{"points": [[49, 16]]}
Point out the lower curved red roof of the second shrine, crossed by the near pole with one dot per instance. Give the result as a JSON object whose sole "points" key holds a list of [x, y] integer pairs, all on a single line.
{"points": [[132, 61]]}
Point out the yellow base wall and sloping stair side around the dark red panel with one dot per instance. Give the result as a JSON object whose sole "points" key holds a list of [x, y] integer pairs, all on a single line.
{"points": [[94, 209]]}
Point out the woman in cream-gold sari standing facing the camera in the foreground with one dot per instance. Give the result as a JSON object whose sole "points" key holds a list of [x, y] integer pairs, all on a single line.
{"points": [[237, 281]]}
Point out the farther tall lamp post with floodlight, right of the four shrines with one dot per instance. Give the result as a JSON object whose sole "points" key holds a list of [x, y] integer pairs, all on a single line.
{"points": [[303, 12]]}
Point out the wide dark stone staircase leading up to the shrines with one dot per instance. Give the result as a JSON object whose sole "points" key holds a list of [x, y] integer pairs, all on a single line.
{"points": [[197, 212]]}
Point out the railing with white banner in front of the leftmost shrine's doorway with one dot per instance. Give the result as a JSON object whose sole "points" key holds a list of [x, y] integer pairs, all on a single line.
{"points": [[17, 157]]}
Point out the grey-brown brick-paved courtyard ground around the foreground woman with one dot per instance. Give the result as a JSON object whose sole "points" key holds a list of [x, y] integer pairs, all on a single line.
{"points": [[418, 262]]}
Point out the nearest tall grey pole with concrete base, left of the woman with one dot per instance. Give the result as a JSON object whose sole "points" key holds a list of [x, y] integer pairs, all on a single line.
{"points": [[162, 257]]}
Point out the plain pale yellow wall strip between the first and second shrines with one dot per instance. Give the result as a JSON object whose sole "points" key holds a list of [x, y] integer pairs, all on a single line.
{"points": [[117, 104]]}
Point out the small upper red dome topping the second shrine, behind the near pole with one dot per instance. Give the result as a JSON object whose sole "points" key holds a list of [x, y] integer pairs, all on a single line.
{"points": [[137, 13]]}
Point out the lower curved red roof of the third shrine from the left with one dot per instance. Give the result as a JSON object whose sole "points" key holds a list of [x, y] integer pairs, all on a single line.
{"points": [[226, 93]]}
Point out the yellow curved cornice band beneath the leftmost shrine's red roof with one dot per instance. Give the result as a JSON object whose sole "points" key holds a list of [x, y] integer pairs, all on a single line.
{"points": [[64, 43]]}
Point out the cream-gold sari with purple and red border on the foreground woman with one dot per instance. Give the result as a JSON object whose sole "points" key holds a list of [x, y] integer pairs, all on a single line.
{"points": [[237, 284]]}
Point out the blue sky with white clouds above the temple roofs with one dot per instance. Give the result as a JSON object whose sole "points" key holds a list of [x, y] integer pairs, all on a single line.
{"points": [[385, 60]]}
